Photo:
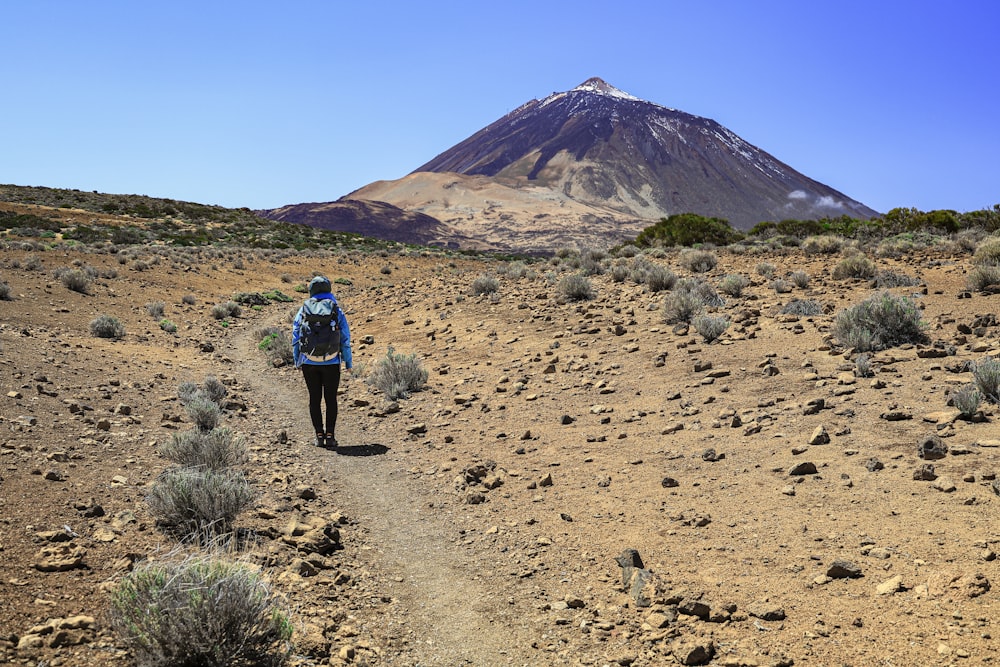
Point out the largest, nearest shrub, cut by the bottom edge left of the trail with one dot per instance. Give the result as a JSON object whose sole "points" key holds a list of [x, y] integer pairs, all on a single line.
{"points": [[200, 611]]}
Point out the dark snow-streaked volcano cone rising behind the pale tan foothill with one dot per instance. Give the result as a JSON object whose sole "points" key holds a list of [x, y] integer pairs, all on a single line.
{"points": [[603, 147]]}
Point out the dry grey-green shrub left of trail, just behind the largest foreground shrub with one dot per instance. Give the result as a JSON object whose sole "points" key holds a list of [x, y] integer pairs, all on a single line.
{"points": [[198, 503]]}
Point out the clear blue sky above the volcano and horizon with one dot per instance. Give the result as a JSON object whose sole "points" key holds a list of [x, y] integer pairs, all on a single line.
{"points": [[261, 104]]}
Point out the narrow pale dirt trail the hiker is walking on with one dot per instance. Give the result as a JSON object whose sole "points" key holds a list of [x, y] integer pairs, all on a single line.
{"points": [[441, 613]]}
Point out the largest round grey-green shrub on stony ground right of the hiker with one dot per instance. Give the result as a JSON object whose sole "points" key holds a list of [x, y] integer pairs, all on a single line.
{"points": [[879, 322]]}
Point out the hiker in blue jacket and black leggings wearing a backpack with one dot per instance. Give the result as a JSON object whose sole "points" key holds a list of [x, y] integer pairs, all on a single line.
{"points": [[321, 371]]}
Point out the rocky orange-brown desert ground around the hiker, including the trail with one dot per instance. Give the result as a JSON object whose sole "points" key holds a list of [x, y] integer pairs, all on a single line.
{"points": [[781, 506]]}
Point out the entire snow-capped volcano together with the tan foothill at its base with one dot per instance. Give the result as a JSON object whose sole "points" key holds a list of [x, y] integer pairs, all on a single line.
{"points": [[595, 165]]}
